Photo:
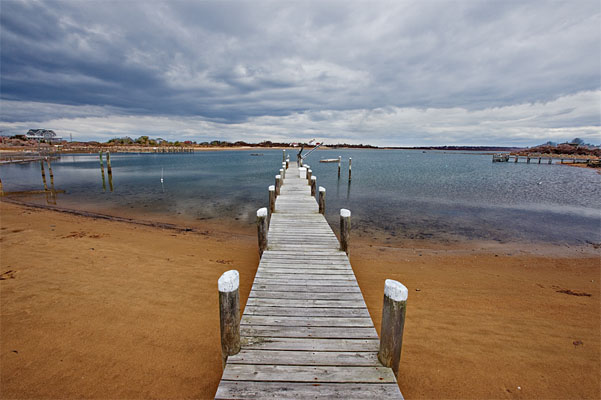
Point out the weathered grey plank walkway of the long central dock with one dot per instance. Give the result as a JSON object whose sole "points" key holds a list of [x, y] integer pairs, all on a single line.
{"points": [[305, 331]]}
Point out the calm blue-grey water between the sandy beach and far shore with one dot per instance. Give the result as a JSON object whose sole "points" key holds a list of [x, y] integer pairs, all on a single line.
{"points": [[399, 194]]}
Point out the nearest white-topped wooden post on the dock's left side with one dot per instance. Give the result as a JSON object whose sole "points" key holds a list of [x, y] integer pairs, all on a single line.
{"points": [[229, 313]]}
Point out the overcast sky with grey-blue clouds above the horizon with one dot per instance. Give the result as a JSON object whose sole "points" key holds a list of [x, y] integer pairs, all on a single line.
{"points": [[386, 73]]}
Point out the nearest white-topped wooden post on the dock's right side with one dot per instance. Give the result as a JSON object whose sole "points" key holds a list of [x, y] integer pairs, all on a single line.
{"points": [[393, 322]]}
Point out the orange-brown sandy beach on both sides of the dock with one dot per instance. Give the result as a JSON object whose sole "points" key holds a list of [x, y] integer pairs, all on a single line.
{"points": [[103, 309]]}
